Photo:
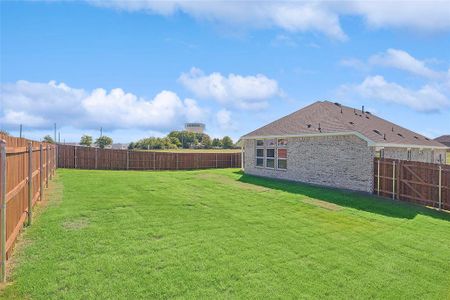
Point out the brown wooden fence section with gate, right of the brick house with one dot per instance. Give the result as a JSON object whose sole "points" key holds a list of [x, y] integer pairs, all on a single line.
{"points": [[423, 183]]}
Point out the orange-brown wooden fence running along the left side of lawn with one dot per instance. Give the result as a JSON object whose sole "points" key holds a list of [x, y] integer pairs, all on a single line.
{"points": [[25, 168]]}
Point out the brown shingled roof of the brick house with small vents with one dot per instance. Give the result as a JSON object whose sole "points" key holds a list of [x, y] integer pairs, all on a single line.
{"points": [[334, 118]]}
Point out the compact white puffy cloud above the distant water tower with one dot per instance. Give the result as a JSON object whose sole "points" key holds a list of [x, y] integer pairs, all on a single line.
{"points": [[244, 92]]}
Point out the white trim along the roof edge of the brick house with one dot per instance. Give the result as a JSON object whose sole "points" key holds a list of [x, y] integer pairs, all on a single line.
{"points": [[370, 143]]}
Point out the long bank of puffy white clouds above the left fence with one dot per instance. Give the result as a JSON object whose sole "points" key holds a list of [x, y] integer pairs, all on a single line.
{"points": [[39, 105]]}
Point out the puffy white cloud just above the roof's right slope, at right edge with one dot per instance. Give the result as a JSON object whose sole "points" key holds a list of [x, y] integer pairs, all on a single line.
{"points": [[426, 99]]}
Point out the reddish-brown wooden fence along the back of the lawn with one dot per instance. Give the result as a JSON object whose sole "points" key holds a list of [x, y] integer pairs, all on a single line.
{"points": [[80, 157]]}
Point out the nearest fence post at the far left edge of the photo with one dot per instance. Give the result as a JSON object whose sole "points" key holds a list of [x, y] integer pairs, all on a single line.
{"points": [[3, 203]]}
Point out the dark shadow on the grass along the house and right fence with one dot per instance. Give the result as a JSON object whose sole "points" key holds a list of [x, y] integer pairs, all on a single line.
{"points": [[356, 200]]}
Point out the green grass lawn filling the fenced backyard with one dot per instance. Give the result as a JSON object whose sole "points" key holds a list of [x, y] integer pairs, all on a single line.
{"points": [[220, 234]]}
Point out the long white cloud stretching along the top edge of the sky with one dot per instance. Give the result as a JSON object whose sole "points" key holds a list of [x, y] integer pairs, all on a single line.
{"points": [[302, 16]]}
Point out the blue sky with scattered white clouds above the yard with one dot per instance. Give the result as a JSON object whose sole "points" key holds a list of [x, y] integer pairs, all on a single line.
{"points": [[144, 68]]}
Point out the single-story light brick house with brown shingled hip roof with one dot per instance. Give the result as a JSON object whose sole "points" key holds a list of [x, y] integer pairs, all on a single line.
{"points": [[330, 144]]}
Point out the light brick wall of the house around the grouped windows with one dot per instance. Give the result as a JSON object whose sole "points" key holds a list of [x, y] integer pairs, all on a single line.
{"points": [[336, 161]]}
